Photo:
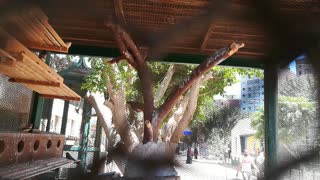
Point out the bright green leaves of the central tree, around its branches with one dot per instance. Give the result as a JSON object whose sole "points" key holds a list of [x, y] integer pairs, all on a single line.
{"points": [[123, 75]]}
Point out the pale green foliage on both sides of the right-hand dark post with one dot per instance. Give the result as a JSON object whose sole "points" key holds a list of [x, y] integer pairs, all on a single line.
{"points": [[294, 116]]}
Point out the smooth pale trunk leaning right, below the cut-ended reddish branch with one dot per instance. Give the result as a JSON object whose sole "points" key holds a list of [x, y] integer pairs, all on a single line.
{"points": [[187, 116]]}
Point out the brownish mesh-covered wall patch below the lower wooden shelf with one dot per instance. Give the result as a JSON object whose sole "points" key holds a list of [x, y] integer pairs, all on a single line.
{"points": [[15, 103]]}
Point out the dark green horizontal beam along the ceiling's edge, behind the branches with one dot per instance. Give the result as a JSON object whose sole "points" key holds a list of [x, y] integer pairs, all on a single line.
{"points": [[172, 57]]}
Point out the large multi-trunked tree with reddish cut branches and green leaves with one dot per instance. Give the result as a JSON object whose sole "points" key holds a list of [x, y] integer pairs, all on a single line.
{"points": [[127, 104]]}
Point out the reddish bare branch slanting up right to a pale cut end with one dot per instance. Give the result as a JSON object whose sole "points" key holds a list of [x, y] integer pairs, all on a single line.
{"points": [[204, 67]]}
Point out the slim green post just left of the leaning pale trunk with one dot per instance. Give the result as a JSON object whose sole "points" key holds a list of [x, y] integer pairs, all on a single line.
{"points": [[84, 137]]}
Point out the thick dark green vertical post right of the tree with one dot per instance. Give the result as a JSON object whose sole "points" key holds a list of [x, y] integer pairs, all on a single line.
{"points": [[270, 104]]}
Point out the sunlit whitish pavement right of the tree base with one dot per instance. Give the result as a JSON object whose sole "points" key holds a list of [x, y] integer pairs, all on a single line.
{"points": [[205, 169]]}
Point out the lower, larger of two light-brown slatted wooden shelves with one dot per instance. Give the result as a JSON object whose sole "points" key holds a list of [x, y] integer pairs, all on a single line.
{"points": [[23, 66]]}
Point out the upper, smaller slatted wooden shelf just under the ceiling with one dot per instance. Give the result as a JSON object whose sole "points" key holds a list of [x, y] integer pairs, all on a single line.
{"points": [[30, 26]]}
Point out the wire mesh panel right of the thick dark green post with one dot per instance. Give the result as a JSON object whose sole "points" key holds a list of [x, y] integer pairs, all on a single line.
{"points": [[298, 116]]}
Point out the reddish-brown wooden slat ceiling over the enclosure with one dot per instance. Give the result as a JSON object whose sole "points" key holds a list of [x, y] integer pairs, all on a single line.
{"points": [[82, 23]]}
